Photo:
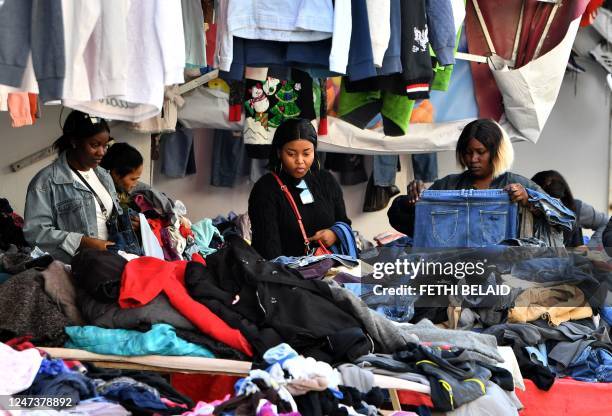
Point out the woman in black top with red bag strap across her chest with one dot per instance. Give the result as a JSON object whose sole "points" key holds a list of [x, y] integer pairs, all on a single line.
{"points": [[293, 163]]}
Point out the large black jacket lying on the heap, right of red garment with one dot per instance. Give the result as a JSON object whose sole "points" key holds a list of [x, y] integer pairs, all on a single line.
{"points": [[270, 304]]}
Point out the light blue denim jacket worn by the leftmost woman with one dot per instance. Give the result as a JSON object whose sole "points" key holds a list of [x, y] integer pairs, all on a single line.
{"points": [[59, 210]]}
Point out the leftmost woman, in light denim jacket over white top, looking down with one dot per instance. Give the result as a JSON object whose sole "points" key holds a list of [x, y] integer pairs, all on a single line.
{"points": [[69, 202]]}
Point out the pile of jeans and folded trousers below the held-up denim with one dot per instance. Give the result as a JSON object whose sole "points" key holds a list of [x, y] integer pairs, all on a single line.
{"points": [[553, 314]]}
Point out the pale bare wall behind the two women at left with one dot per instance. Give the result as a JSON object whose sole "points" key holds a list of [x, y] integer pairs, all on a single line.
{"points": [[16, 144]]}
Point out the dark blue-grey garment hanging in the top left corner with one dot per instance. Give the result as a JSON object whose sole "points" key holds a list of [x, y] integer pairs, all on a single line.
{"points": [[36, 26]]}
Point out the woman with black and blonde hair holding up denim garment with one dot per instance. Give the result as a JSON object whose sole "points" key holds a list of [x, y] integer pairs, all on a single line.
{"points": [[486, 153]]}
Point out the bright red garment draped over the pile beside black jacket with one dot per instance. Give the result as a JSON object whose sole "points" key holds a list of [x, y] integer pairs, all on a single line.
{"points": [[146, 277]]}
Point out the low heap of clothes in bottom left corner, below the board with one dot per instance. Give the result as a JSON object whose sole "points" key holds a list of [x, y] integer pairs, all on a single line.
{"points": [[84, 389]]}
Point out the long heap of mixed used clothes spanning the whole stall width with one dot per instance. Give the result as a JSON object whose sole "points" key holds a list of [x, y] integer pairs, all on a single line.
{"points": [[228, 302]]}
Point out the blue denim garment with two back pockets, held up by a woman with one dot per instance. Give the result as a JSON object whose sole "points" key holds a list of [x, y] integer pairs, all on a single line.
{"points": [[464, 218]]}
